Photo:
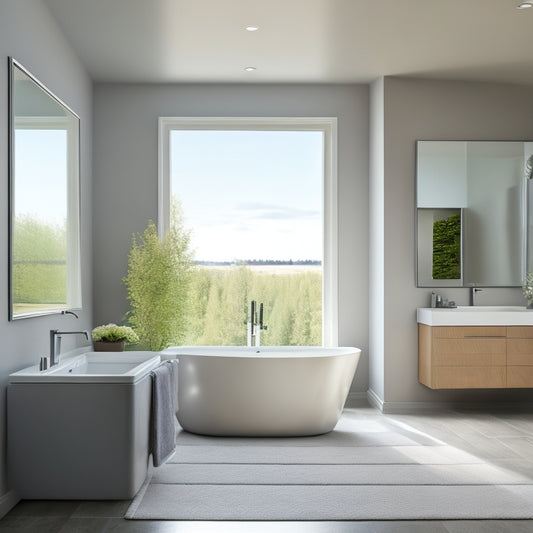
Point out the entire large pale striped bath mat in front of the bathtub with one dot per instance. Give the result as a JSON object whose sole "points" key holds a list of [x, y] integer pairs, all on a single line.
{"points": [[373, 469]]}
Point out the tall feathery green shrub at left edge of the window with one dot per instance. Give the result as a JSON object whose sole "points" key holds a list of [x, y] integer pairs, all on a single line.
{"points": [[158, 284]]}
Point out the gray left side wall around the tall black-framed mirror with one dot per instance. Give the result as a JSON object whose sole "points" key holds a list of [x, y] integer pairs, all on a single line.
{"points": [[29, 34]]}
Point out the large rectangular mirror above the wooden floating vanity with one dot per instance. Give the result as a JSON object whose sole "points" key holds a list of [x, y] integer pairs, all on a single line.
{"points": [[471, 203]]}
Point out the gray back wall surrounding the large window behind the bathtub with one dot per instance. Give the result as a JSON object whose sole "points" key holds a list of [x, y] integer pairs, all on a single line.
{"points": [[125, 174]]}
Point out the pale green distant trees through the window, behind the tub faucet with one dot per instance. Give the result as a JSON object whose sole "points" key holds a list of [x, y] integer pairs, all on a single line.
{"points": [[220, 306]]}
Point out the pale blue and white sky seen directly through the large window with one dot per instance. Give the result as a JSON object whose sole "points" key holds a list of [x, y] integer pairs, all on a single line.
{"points": [[250, 194]]}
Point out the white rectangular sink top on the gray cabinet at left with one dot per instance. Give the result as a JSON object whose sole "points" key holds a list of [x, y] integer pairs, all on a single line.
{"points": [[93, 367]]}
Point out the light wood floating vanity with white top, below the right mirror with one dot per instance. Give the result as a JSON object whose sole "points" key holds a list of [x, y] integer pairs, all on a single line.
{"points": [[474, 356]]}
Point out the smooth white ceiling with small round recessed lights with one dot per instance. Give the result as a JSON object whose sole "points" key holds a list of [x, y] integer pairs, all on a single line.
{"points": [[319, 41]]}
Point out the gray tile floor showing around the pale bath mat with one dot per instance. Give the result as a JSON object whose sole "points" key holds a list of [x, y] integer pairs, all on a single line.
{"points": [[503, 438]]}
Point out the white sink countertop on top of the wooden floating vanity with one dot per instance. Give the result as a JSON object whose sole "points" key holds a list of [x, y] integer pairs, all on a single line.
{"points": [[476, 316]]}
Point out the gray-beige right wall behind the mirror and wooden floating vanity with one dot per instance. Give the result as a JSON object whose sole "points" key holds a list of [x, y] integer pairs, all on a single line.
{"points": [[414, 110]]}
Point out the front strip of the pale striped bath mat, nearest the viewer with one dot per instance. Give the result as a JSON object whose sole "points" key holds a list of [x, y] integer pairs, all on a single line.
{"points": [[326, 502]]}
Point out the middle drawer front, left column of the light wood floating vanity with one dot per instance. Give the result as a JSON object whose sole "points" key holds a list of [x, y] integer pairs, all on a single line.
{"points": [[470, 352]]}
